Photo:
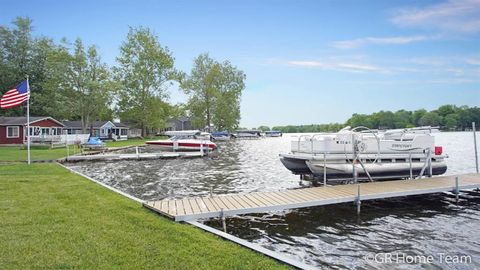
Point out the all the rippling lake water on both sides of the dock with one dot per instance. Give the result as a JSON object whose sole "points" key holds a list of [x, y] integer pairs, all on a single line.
{"points": [[326, 236]]}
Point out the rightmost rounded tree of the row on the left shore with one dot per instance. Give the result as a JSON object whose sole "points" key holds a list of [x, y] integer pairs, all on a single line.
{"points": [[214, 91]]}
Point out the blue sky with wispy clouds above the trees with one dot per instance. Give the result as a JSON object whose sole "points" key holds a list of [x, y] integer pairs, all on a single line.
{"points": [[306, 62]]}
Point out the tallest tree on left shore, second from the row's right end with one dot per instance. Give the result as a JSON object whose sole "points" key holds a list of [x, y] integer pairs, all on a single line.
{"points": [[145, 69]]}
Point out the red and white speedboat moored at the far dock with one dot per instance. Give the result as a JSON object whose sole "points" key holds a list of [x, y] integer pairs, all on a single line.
{"points": [[185, 140]]}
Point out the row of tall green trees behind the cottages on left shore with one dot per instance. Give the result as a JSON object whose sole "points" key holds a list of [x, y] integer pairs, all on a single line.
{"points": [[69, 81]]}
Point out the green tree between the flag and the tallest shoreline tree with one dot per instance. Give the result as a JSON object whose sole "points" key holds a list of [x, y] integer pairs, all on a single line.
{"points": [[80, 83]]}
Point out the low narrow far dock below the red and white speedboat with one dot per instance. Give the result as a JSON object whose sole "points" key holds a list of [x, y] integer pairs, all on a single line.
{"points": [[142, 156]]}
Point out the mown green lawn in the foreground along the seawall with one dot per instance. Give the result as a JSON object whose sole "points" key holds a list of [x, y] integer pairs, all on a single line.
{"points": [[51, 218]]}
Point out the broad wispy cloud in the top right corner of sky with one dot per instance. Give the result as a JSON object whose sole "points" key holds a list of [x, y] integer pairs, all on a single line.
{"points": [[452, 16]]}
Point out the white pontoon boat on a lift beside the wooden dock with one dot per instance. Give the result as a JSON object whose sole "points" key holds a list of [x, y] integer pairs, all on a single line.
{"points": [[367, 154]]}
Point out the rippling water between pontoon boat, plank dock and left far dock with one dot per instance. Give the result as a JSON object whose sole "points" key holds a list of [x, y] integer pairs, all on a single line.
{"points": [[238, 166]]}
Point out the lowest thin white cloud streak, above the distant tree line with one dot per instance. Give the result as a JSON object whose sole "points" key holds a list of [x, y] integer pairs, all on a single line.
{"points": [[339, 66]]}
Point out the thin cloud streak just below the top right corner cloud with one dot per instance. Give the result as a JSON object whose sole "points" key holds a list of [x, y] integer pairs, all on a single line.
{"points": [[349, 44]]}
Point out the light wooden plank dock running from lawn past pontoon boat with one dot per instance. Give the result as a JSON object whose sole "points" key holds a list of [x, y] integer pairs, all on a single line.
{"points": [[189, 209]]}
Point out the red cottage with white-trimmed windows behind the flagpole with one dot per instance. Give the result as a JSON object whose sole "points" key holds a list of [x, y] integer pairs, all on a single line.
{"points": [[12, 129]]}
